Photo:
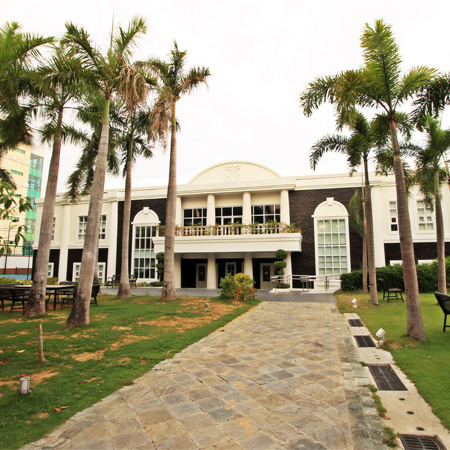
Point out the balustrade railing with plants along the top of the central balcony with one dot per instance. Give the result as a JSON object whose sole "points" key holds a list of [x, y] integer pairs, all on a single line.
{"points": [[235, 229]]}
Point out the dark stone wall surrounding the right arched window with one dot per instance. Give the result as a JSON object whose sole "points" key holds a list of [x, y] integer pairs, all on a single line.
{"points": [[302, 205]]}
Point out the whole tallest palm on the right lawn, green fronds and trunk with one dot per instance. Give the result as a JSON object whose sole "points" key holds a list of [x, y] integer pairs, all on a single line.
{"points": [[379, 84]]}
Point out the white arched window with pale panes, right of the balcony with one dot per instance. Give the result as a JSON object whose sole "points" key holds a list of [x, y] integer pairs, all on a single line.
{"points": [[331, 238]]}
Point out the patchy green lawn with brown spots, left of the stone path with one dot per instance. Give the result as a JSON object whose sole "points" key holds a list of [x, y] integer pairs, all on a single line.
{"points": [[125, 339]]}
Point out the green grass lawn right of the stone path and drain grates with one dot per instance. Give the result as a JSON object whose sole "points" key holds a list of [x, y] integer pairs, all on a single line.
{"points": [[427, 364]]}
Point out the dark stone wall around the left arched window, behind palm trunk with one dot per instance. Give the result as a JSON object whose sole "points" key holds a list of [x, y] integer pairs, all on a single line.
{"points": [[157, 205]]}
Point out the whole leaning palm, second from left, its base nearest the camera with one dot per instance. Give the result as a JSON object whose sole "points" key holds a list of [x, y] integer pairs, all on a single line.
{"points": [[103, 74]]}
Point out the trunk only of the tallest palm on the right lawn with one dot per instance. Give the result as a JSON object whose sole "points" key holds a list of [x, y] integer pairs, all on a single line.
{"points": [[414, 325]]}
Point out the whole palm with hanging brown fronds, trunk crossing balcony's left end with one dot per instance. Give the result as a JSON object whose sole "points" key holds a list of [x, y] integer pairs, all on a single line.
{"points": [[173, 82]]}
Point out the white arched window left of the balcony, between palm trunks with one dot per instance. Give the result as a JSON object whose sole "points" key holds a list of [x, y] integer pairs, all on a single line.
{"points": [[145, 228]]}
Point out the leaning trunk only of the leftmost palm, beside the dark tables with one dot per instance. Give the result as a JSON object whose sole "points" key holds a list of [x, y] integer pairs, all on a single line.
{"points": [[36, 302]]}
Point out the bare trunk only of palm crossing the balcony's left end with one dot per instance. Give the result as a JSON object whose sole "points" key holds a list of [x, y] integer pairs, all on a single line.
{"points": [[168, 291]]}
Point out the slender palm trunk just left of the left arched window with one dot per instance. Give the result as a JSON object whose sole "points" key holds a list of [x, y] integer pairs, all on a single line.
{"points": [[124, 287]]}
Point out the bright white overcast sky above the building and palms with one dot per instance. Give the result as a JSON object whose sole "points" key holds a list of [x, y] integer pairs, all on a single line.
{"points": [[261, 54]]}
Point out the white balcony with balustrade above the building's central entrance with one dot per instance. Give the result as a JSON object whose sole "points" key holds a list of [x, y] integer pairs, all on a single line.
{"points": [[234, 238]]}
